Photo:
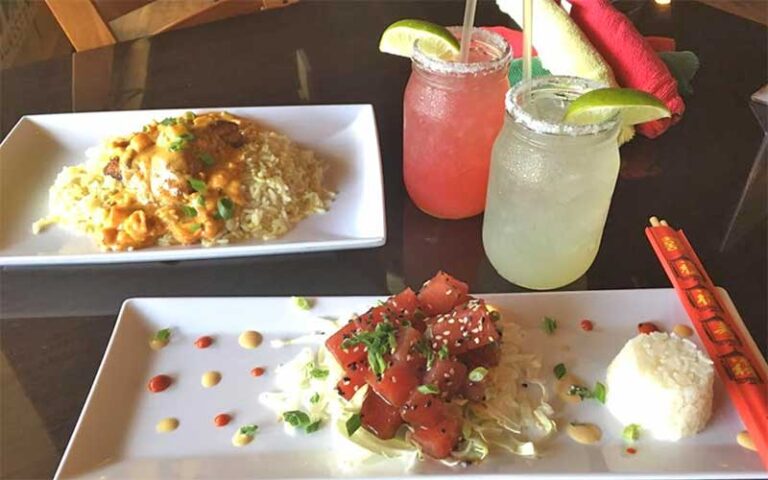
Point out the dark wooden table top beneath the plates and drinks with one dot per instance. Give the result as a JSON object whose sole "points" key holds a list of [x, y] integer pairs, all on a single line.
{"points": [[56, 321]]}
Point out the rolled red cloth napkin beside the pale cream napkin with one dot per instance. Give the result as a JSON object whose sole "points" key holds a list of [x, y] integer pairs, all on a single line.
{"points": [[632, 59]]}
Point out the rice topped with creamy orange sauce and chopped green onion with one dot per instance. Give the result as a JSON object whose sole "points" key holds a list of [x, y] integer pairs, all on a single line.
{"points": [[209, 179]]}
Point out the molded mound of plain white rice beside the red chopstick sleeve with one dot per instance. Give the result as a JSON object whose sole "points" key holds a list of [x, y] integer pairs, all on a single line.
{"points": [[663, 383]]}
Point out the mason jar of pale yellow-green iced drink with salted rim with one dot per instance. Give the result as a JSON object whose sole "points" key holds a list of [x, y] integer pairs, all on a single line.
{"points": [[550, 186]]}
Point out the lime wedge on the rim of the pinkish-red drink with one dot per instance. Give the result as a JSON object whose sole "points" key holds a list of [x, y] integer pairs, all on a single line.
{"points": [[434, 40]]}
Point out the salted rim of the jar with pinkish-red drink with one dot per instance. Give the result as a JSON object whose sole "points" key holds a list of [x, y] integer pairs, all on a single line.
{"points": [[493, 39]]}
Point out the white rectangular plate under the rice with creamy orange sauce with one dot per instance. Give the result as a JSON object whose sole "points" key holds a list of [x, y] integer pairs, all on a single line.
{"points": [[40, 145]]}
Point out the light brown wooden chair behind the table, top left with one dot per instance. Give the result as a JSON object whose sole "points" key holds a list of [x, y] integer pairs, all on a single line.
{"points": [[97, 23]]}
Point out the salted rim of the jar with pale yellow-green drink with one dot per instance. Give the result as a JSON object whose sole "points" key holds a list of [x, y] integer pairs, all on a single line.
{"points": [[523, 117]]}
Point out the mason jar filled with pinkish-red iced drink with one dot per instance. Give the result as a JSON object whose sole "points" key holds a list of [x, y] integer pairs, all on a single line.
{"points": [[452, 113]]}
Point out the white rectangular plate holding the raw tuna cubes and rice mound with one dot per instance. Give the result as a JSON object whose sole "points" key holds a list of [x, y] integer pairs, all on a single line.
{"points": [[115, 436]]}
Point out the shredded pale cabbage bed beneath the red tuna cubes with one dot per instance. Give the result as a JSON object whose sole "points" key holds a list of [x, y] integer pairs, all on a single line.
{"points": [[512, 418]]}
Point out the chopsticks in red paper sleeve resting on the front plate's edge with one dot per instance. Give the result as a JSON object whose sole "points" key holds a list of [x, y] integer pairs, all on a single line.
{"points": [[738, 362]]}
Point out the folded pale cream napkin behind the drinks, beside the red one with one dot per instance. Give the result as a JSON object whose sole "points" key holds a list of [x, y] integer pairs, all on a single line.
{"points": [[562, 46]]}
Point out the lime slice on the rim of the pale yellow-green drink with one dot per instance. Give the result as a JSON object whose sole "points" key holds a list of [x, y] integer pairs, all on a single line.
{"points": [[633, 106]]}
